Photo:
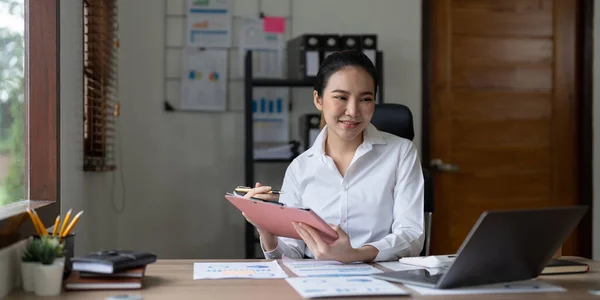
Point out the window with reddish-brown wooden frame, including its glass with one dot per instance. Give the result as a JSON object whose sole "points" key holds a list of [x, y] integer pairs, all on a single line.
{"points": [[28, 114]]}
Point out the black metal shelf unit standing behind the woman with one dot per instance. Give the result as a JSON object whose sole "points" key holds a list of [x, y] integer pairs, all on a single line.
{"points": [[251, 241]]}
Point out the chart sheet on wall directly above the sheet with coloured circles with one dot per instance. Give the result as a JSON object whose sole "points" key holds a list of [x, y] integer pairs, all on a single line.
{"points": [[209, 23]]}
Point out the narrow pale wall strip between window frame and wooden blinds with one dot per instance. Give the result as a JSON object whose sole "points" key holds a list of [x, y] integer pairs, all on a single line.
{"points": [[90, 192]]}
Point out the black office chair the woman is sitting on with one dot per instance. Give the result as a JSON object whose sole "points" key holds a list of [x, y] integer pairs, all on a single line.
{"points": [[397, 120]]}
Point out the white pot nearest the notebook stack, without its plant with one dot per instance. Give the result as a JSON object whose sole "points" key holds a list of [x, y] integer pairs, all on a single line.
{"points": [[47, 279]]}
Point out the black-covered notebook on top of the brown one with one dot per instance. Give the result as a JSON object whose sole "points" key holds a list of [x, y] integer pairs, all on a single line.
{"points": [[112, 261]]}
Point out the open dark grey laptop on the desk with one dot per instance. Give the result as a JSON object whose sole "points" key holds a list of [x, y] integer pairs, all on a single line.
{"points": [[502, 246]]}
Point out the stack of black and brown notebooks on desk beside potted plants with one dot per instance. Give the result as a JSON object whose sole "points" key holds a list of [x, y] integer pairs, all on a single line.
{"points": [[109, 270]]}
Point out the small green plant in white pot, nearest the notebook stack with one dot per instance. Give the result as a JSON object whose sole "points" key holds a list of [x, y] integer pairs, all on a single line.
{"points": [[48, 273]]}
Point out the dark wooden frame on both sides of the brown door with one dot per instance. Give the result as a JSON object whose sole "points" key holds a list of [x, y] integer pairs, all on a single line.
{"points": [[584, 81]]}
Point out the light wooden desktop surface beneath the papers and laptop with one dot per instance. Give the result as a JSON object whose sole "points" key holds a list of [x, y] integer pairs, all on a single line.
{"points": [[172, 279]]}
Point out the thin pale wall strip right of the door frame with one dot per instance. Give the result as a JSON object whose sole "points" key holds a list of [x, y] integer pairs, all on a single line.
{"points": [[596, 134]]}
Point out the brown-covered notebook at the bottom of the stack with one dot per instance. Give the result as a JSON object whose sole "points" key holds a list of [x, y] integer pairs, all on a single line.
{"points": [[76, 282]]}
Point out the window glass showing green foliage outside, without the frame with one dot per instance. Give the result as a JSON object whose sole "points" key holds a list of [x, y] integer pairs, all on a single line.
{"points": [[12, 101]]}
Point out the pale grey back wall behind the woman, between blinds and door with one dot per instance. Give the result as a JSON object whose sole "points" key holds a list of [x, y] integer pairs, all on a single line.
{"points": [[177, 166]]}
